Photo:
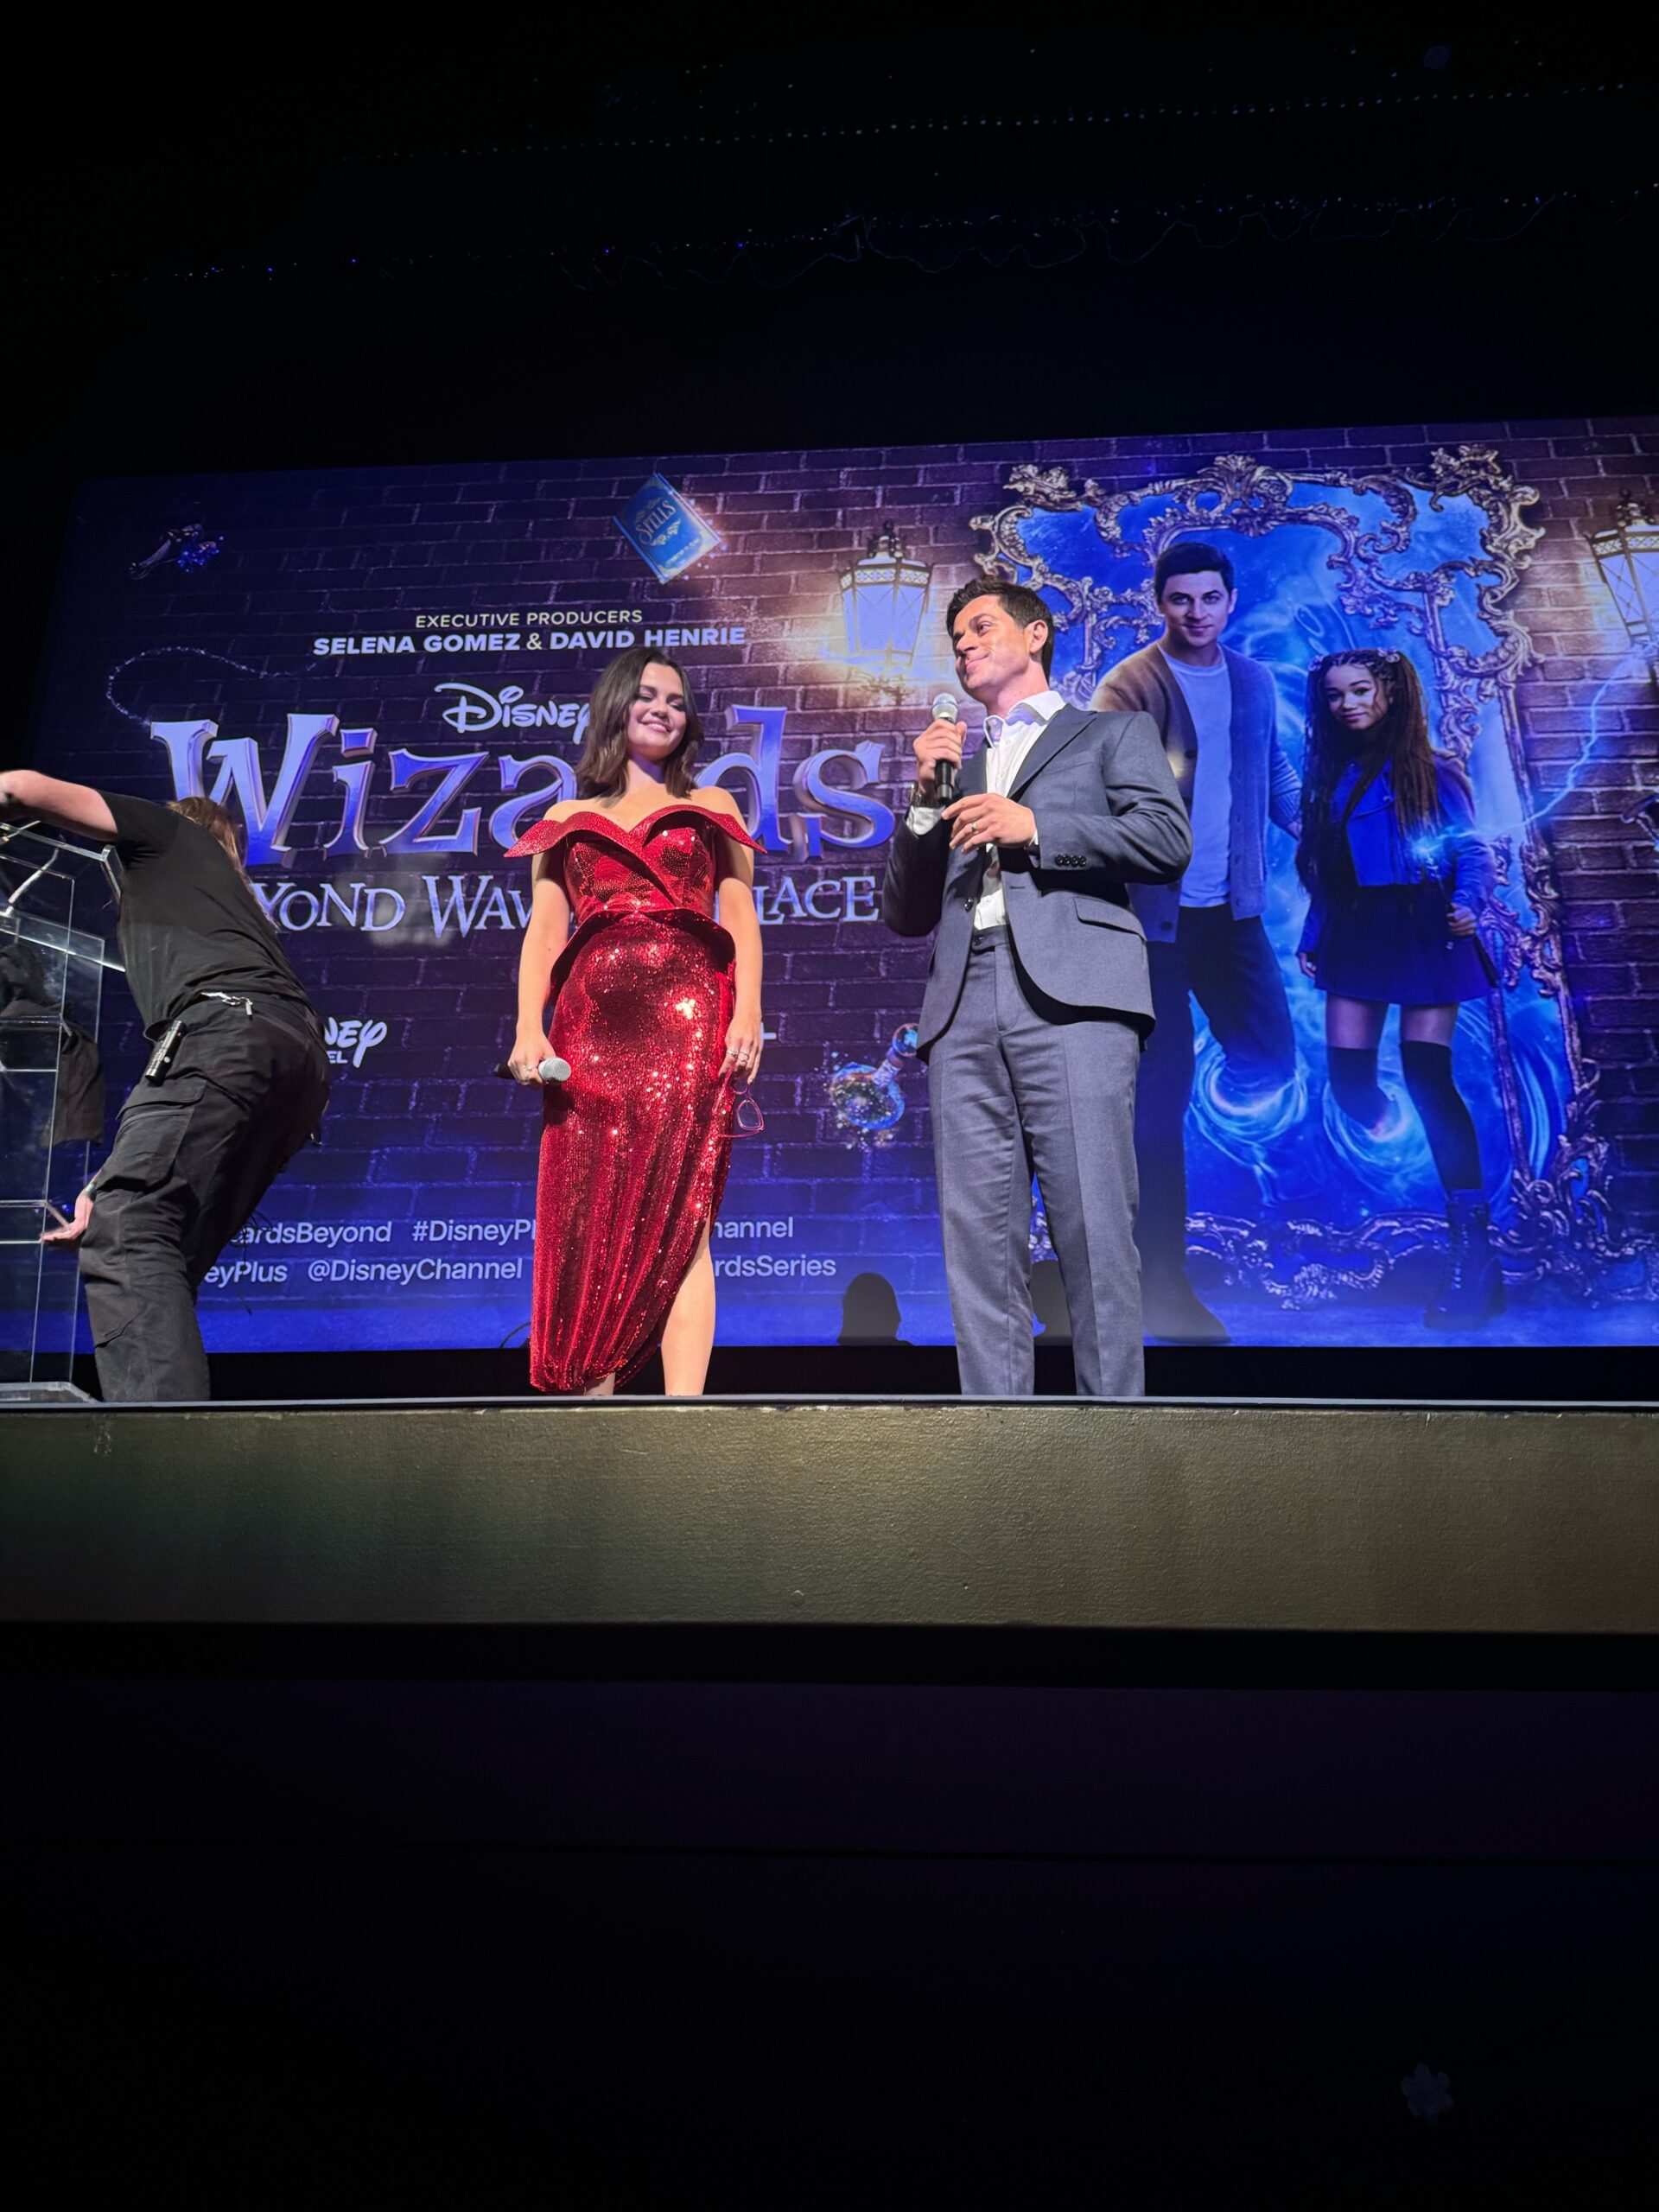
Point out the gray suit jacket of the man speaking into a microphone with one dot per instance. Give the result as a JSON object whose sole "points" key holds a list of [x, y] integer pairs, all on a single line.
{"points": [[1109, 815]]}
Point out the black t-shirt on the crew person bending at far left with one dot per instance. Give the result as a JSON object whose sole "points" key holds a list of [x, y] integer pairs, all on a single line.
{"points": [[189, 921]]}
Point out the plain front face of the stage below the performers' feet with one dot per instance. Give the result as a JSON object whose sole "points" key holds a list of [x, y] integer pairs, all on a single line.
{"points": [[959, 1519]]}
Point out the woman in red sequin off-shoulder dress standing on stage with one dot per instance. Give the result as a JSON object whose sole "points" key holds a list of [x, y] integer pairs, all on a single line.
{"points": [[645, 939]]}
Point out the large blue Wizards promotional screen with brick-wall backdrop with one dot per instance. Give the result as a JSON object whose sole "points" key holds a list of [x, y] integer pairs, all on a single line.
{"points": [[386, 674]]}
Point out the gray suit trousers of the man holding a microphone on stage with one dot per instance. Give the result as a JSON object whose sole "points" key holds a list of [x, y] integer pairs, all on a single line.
{"points": [[1023, 1087]]}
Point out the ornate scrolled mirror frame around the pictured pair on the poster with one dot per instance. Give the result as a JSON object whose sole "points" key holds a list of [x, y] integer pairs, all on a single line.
{"points": [[1561, 1222]]}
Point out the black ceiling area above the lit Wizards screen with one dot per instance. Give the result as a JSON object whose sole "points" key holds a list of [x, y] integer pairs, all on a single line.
{"points": [[486, 240]]}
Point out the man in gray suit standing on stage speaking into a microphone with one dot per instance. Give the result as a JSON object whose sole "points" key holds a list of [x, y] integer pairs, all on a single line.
{"points": [[1039, 999]]}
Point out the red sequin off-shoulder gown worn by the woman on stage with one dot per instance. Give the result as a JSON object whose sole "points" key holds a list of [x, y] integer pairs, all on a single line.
{"points": [[636, 1145]]}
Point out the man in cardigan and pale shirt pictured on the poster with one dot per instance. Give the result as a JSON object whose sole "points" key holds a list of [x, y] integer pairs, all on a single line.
{"points": [[1218, 716]]}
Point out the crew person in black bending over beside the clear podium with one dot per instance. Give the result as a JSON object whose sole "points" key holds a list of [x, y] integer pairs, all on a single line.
{"points": [[236, 1083]]}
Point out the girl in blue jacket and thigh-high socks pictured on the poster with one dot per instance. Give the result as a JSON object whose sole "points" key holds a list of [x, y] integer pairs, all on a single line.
{"points": [[1397, 879]]}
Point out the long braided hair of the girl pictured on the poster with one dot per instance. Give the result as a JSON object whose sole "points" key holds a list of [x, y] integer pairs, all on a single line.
{"points": [[1399, 742]]}
